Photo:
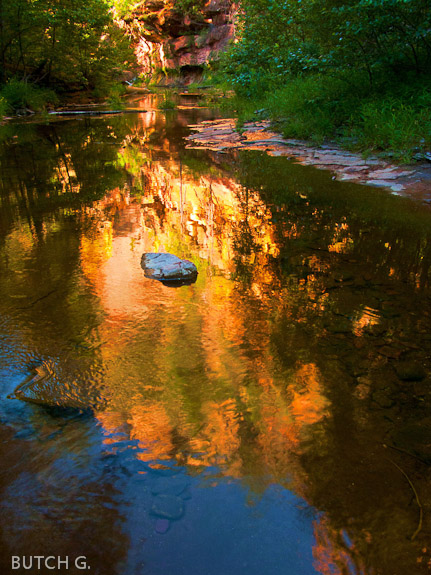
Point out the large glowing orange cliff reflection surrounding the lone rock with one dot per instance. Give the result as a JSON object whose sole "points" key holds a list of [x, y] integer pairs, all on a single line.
{"points": [[217, 405]]}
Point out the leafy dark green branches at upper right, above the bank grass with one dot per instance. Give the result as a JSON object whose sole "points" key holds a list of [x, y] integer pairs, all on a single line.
{"points": [[281, 39]]}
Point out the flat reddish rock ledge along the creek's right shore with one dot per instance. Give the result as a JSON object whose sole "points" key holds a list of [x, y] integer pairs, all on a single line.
{"points": [[220, 135]]}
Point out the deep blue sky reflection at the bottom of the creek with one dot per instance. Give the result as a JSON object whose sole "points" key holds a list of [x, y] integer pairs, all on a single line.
{"points": [[224, 529]]}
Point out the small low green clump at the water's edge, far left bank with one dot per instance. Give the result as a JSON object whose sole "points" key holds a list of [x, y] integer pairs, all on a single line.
{"points": [[17, 94]]}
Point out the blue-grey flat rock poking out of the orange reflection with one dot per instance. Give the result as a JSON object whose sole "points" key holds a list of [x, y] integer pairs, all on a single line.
{"points": [[168, 268]]}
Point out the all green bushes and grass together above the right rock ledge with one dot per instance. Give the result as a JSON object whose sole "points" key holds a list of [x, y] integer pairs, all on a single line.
{"points": [[357, 71]]}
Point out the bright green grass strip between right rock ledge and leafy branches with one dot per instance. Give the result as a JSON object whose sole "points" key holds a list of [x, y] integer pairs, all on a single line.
{"points": [[394, 119]]}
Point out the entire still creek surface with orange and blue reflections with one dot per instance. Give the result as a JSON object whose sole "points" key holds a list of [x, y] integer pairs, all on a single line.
{"points": [[271, 418]]}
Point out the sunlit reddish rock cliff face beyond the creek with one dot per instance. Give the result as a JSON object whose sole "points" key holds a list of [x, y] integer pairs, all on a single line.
{"points": [[168, 39]]}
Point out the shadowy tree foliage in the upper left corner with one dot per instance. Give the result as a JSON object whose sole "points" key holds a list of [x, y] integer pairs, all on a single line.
{"points": [[73, 43]]}
